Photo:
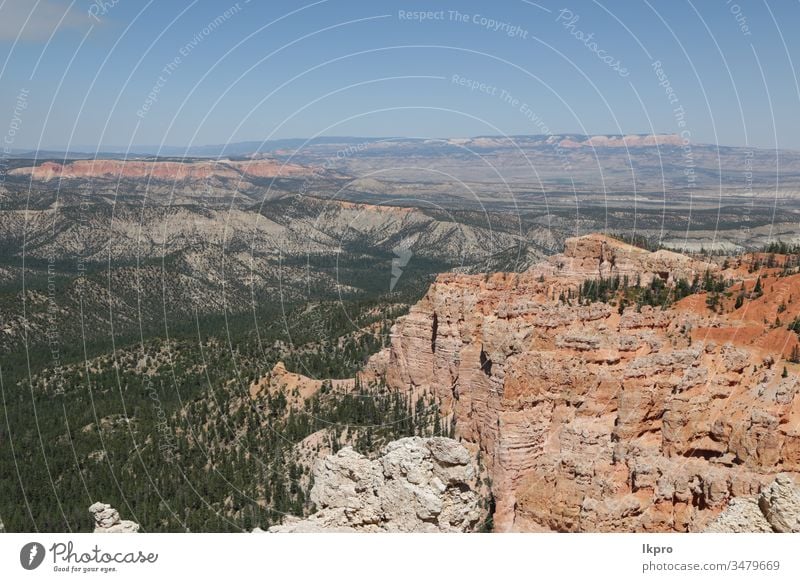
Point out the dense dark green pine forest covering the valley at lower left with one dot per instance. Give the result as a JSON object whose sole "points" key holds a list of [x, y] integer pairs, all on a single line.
{"points": [[165, 430]]}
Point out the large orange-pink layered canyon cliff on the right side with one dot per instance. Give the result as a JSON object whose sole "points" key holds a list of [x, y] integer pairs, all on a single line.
{"points": [[599, 418]]}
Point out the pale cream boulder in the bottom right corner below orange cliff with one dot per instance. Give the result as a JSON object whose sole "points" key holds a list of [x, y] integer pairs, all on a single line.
{"points": [[776, 509]]}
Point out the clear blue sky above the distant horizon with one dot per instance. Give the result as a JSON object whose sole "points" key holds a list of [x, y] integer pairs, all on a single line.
{"points": [[178, 73]]}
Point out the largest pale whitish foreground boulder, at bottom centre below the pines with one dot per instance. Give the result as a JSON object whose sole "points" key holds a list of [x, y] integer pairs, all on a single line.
{"points": [[417, 485]]}
